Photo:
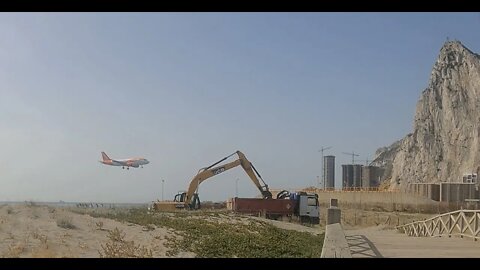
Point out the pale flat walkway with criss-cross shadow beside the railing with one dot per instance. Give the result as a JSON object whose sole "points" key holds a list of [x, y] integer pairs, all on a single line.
{"points": [[377, 242]]}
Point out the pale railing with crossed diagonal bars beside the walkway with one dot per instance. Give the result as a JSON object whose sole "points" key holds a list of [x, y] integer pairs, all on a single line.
{"points": [[462, 222]]}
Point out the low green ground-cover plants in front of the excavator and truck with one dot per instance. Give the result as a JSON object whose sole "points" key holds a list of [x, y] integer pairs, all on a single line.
{"points": [[206, 236]]}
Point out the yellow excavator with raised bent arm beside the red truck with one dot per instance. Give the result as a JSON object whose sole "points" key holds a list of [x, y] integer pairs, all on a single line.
{"points": [[190, 199]]}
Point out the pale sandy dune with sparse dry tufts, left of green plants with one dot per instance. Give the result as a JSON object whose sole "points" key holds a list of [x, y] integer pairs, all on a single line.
{"points": [[44, 231]]}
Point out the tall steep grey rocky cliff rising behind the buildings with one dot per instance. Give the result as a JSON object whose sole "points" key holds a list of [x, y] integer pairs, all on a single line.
{"points": [[444, 144]]}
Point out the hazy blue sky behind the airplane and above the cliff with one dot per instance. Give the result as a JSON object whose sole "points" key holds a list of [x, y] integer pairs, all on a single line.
{"points": [[184, 90]]}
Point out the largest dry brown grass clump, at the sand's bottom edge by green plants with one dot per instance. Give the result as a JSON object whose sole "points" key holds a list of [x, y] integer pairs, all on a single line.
{"points": [[118, 247]]}
